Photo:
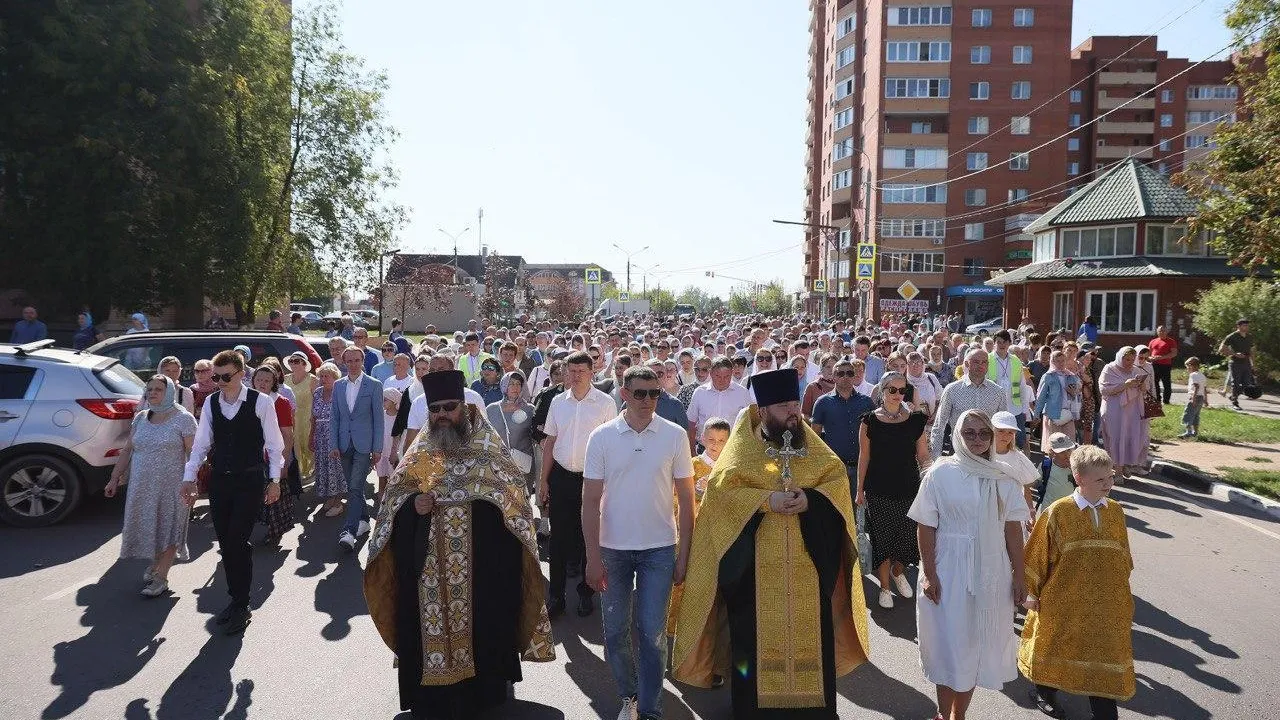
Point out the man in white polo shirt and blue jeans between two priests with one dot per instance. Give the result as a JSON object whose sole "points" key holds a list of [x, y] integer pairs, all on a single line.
{"points": [[636, 464]]}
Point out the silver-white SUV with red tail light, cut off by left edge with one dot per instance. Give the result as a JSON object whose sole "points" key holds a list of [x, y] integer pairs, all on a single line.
{"points": [[65, 418]]}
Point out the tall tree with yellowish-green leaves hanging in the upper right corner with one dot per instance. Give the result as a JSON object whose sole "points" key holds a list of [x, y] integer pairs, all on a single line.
{"points": [[1238, 183]]}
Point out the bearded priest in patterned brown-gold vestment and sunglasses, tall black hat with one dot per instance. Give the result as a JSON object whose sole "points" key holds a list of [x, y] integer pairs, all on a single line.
{"points": [[454, 584]]}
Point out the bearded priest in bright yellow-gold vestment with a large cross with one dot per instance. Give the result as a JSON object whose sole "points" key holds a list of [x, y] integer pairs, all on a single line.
{"points": [[774, 594]]}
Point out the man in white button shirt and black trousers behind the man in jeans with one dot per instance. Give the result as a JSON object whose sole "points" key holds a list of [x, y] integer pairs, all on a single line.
{"points": [[570, 421]]}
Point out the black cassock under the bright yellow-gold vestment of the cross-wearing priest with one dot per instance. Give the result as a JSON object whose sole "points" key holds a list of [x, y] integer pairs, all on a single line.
{"points": [[824, 532]]}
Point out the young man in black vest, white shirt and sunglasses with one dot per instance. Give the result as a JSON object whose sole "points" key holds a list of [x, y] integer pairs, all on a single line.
{"points": [[240, 434]]}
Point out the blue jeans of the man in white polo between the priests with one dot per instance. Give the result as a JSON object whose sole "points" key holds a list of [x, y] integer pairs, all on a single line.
{"points": [[650, 573]]}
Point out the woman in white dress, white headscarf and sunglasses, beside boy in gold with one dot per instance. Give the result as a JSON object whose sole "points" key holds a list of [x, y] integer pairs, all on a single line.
{"points": [[971, 514]]}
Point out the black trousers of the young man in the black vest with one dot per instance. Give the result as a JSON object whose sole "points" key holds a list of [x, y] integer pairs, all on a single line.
{"points": [[236, 503]]}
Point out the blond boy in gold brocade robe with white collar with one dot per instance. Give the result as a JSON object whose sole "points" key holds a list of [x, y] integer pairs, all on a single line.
{"points": [[1077, 636]]}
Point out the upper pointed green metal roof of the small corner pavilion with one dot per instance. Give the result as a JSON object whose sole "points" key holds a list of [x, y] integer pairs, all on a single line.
{"points": [[1127, 192]]}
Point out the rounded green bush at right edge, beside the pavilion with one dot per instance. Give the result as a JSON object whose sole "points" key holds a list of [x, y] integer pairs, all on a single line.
{"points": [[1215, 312]]}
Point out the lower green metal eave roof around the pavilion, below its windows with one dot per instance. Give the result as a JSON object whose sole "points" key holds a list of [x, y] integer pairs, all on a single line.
{"points": [[1140, 267]]}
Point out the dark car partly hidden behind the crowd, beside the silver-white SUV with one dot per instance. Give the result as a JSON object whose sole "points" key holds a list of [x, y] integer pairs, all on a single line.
{"points": [[141, 353]]}
